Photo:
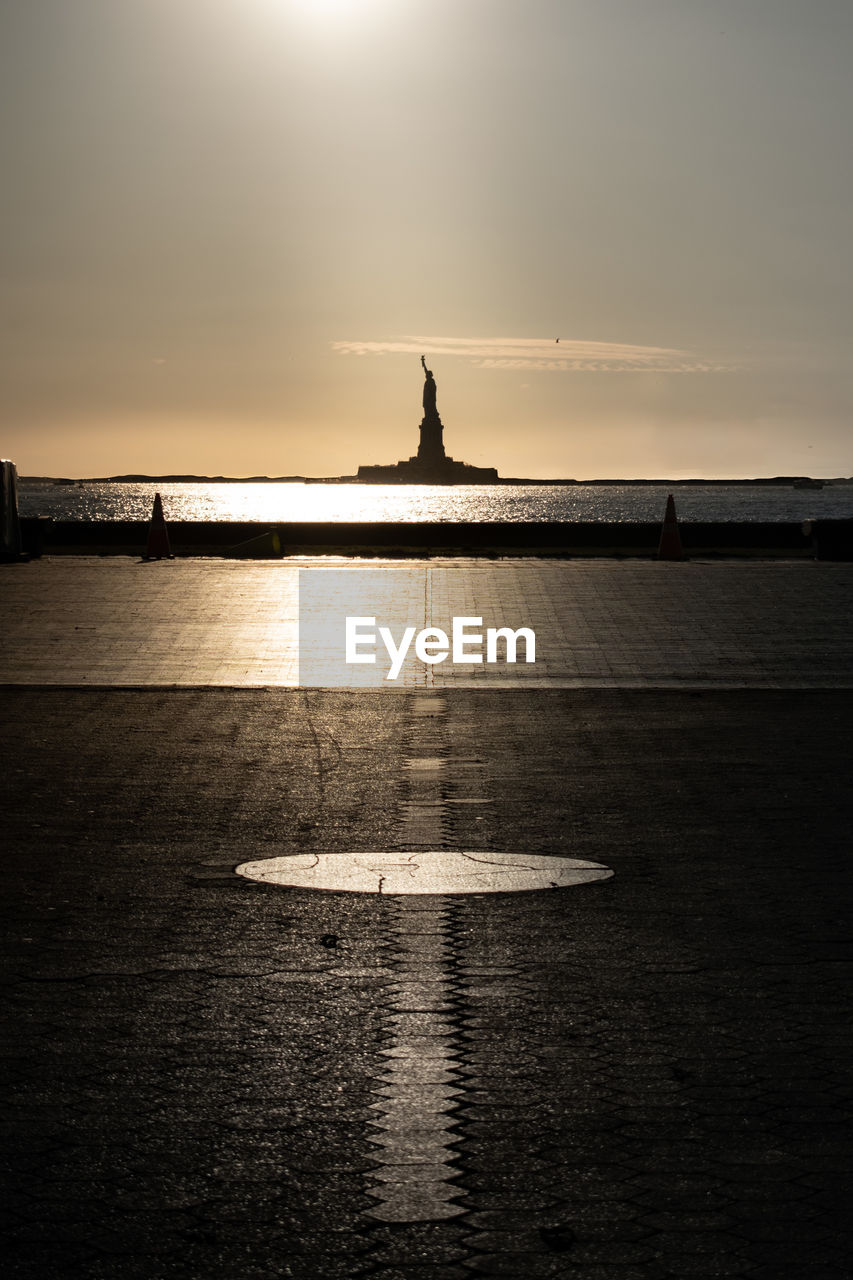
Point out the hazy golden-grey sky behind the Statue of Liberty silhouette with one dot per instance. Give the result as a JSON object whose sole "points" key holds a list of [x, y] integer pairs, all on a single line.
{"points": [[231, 227]]}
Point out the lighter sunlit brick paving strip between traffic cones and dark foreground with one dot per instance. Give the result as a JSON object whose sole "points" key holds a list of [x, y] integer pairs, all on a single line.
{"points": [[113, 621]]}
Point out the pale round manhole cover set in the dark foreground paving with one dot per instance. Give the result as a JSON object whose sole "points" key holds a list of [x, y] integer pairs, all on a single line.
{"points": [[432, 872]]}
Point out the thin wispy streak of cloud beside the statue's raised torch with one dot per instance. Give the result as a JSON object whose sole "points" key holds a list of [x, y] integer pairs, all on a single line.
{"points": [[553, 354]]}
